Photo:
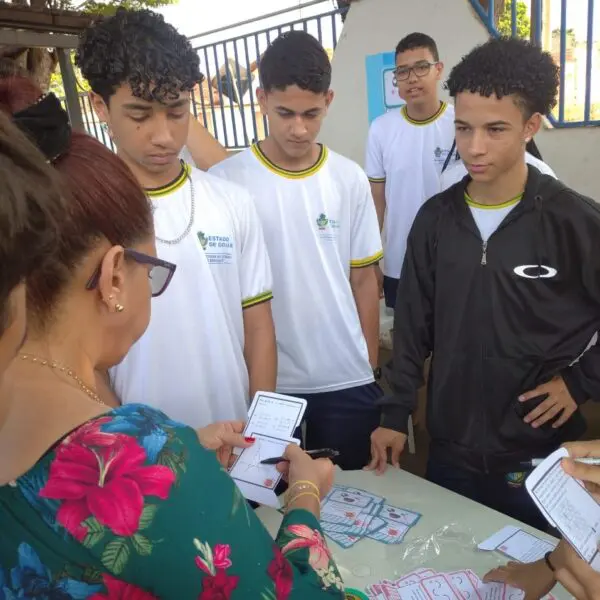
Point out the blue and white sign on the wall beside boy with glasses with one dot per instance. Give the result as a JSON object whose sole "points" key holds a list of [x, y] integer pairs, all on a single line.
{"points": [[382, 91]]}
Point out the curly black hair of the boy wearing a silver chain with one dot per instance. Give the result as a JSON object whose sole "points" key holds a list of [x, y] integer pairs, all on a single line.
{"points": [[141, 49]]}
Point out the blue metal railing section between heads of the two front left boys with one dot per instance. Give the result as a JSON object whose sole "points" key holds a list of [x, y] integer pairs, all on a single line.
{"points": [[226, 101]]}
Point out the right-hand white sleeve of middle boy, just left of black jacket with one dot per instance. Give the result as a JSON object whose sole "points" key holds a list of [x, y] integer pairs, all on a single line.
{"points": [[365, 243]]}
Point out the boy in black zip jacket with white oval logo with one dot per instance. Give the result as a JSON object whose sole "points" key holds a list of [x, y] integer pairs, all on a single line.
{"points": [[501, 283]]}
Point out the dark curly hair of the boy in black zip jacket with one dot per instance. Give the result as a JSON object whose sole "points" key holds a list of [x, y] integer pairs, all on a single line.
{"points": [[508, 67]]}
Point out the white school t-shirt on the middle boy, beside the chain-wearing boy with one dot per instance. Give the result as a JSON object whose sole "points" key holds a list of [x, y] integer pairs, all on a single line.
{"points": [[318, 224]]}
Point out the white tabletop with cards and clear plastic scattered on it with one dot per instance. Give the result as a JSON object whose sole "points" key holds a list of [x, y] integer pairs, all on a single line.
{"points": [[444, 539]]}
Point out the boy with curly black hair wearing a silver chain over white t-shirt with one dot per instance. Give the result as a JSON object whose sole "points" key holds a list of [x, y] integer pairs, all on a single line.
{"points": [[211, 343]]}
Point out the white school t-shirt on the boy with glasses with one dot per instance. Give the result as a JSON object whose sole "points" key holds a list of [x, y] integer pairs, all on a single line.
{"points": [[408, 156]]}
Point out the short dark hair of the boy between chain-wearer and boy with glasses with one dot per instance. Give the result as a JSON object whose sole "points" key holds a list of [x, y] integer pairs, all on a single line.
{"points": [[295, 58]]}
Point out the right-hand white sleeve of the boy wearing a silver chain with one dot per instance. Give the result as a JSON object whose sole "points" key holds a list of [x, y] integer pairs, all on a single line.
{"points": [[256, 280]]}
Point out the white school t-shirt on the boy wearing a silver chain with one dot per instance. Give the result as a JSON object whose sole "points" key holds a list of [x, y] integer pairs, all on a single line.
{"points": [[190, 361]]}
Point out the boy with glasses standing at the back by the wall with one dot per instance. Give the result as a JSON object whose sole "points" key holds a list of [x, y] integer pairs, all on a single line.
{"points": [[407, 150]]}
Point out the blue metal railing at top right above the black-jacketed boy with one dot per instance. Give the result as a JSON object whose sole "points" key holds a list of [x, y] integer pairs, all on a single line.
{"points": [[581, 114]]}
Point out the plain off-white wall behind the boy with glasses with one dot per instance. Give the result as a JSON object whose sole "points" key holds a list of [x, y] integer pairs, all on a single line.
{"points": [[374, 26]]}
